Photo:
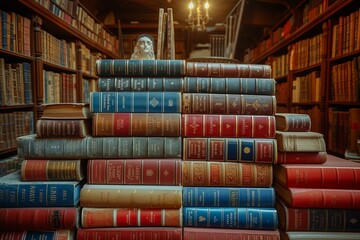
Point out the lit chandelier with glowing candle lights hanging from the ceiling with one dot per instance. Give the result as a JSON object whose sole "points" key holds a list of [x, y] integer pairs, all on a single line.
{"points": [[199, 19]]}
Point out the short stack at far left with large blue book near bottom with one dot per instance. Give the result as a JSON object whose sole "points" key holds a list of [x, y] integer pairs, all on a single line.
{"points": [[42, 199]]}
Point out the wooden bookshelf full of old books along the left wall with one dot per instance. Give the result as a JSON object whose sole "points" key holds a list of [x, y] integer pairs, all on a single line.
{"points": [[47, 54]]}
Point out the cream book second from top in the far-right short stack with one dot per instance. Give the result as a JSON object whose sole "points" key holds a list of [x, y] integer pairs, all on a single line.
{"points": [[300, 141]]}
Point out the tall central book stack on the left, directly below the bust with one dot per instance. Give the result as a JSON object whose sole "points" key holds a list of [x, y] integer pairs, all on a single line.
{"points": [[136, 194]]}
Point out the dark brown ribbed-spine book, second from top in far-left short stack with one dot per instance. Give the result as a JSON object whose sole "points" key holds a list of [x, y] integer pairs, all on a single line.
{"points": [[62, 128]]}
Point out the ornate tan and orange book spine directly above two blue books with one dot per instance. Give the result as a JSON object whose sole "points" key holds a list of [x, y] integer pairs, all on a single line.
{"points": [[200, 173]]}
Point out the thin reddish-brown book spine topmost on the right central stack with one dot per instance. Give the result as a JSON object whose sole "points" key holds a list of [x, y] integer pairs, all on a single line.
{"points": [[202, 69]]}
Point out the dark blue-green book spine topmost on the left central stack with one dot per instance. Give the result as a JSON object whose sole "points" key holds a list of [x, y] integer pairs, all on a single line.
{"points": [[138, 68]]}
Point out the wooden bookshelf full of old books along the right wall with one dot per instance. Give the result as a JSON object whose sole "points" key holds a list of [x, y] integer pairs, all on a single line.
{"points": [[314, 53]]}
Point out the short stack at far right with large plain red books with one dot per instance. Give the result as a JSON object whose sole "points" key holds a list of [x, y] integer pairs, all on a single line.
{"points": [[318, 195]]}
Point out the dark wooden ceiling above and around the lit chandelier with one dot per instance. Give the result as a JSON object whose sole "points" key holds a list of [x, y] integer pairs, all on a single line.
{"points": [[258, 16]]}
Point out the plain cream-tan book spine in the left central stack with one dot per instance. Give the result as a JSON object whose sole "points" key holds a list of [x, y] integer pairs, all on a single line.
{"points": [[135, 196]]}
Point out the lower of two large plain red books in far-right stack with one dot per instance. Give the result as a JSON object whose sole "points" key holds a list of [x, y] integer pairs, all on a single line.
{"points": [[318, 197]]}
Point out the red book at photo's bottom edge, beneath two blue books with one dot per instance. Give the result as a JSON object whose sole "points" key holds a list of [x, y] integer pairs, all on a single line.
{"points": [[229, 234]]}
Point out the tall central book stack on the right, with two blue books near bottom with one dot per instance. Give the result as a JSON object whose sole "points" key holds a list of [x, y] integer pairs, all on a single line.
{"points": [[229, 146]]}
